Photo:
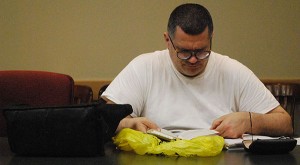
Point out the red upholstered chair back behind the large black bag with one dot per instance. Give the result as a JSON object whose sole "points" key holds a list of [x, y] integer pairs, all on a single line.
{"points": [[33, 88]]}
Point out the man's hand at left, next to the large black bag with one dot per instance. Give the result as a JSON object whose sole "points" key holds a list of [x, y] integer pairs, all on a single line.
{"points": [[138, 123]]}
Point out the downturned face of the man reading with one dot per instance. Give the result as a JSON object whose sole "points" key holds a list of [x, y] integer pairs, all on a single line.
{"points": [[184, 42]]}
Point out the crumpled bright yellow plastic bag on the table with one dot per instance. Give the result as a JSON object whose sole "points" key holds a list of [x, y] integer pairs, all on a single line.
{"points": [[131, 140]]}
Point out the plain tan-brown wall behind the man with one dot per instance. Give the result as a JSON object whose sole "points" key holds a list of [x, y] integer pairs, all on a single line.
{"points": [[94, 40]]}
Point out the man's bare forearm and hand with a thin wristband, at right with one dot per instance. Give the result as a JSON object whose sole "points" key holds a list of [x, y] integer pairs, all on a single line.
{"points": [[277, 122]]}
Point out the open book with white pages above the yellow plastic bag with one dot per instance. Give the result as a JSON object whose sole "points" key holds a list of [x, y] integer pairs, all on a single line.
{"points": [[180, 134]]}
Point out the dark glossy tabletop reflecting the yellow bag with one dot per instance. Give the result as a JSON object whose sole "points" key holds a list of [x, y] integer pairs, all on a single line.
{"points": [[116, 157]]}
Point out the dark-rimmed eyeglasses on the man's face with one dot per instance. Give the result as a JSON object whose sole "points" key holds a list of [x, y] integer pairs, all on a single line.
{"points": [[187, 54]]}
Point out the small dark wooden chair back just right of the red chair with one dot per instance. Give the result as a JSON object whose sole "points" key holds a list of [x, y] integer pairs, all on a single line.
{"points": [[83, 94]]}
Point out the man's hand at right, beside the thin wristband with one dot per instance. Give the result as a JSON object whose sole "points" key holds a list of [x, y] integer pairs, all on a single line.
{"points": [[233, 125]]}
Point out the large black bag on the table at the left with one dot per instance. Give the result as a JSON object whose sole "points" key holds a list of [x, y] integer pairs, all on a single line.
{"points": [[76, 130]]}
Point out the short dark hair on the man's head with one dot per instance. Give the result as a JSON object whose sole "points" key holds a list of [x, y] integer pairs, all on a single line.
{"points": [[191, 18]]}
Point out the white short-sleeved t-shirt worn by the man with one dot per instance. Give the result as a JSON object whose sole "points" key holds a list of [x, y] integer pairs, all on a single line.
{"points": [[156, 90]]}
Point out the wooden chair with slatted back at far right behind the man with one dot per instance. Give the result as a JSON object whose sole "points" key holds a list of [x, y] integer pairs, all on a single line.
{"points": [[288, 94]]}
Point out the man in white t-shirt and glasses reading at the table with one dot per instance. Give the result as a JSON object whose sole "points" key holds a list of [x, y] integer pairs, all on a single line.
{"points": [[189, 86]]}
